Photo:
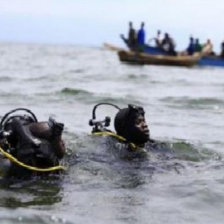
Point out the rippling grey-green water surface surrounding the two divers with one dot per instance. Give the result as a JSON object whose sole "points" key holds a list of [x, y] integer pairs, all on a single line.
{"points": [[184, 109]]}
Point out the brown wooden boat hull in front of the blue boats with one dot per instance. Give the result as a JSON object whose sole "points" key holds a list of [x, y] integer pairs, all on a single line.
{"points": [[145, 58]]}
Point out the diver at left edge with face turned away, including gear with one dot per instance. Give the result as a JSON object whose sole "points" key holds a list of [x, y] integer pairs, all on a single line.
{"points": [[32, 147]]}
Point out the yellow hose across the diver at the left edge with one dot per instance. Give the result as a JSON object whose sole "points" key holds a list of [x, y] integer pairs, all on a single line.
{"points": [[14, 160]]}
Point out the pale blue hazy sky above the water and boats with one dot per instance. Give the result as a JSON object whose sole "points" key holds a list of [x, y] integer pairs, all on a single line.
{"points": [[93, 22]]}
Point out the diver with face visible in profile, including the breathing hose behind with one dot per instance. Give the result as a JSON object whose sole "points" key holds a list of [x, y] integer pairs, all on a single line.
{"points": [[132, 132]]}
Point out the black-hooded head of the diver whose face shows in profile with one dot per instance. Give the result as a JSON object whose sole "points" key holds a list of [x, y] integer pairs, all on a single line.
{"points": [[130, 123]]}
